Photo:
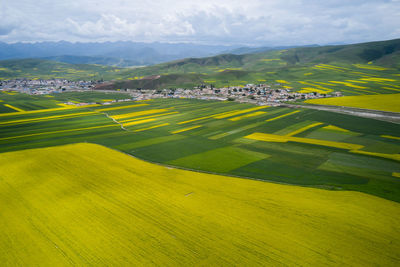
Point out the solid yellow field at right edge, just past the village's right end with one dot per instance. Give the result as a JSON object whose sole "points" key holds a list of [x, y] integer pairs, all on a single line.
{"points": [[385, 102]]}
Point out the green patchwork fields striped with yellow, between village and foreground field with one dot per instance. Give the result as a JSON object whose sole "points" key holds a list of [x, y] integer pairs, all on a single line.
{"points": [[308, 147]]}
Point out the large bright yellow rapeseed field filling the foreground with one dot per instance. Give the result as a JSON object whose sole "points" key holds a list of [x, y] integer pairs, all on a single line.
{"points": [[64, 206]]}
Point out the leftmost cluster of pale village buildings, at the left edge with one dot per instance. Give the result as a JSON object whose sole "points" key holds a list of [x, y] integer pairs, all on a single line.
{"points": [[39, 87]]}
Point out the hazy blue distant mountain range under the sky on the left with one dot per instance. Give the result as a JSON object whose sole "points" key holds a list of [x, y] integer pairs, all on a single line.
{"points": [[127, 52]]}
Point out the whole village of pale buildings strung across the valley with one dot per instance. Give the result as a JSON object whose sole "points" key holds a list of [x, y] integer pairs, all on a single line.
{"points": [[260, 94]]}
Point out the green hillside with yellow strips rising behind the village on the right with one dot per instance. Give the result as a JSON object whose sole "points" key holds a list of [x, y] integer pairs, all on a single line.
{"points": [[349, 66]]}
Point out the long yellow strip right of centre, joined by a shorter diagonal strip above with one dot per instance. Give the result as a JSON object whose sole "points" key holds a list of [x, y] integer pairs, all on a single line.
{"points": [[283, 139]]}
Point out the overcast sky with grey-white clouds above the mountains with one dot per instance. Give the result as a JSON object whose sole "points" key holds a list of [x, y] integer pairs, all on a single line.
{"points": [[251, 22]]}
